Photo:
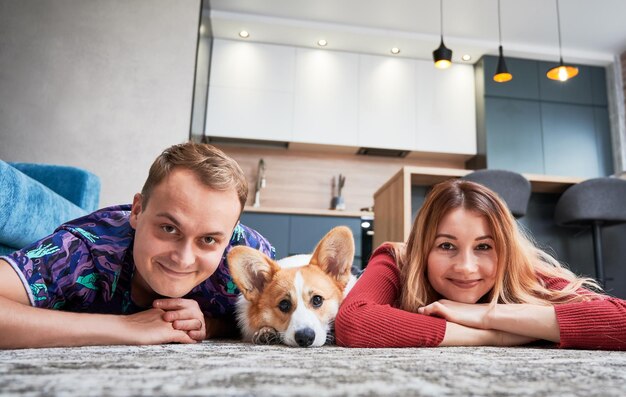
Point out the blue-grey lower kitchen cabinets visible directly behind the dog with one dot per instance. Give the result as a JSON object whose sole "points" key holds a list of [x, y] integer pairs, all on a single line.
{"points": [[292, 234]]}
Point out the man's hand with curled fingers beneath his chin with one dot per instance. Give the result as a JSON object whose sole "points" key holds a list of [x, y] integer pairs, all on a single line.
{"points": [[184, 315]]}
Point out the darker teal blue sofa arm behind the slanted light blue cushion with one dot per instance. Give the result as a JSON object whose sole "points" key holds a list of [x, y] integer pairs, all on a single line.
{"points": [[79, 186]]}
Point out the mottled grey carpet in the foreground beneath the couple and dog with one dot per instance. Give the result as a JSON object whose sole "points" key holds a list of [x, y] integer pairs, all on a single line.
{"points": [[225, 368]]}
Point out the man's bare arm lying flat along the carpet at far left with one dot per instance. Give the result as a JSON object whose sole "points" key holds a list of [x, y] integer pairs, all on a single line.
{"points": [[23, 326]]}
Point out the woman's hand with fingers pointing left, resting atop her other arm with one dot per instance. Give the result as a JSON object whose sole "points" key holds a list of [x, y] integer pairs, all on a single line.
{"points": [[471, 315]]}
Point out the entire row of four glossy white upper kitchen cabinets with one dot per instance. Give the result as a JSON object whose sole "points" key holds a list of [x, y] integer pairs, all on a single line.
{"points": [[283, 93]]}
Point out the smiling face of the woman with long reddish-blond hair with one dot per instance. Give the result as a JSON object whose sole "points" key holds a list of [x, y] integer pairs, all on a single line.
{"points": [[462, 263]]}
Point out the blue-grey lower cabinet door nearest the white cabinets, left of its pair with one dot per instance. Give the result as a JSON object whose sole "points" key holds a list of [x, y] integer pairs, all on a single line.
{"points": [[514, 136]]}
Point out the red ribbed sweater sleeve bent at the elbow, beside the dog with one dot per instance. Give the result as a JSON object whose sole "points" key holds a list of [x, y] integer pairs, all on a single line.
{"points": [[367, 317]]}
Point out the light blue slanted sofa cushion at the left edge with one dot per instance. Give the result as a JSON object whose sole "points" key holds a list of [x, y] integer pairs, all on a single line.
{"points": [[28, 209]]}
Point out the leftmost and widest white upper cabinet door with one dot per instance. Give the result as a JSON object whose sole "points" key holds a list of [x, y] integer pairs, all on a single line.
{"points": [[251, 91]]}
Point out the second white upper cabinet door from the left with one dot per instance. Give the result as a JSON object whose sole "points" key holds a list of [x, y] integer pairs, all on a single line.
{"points": [[326, 100]]}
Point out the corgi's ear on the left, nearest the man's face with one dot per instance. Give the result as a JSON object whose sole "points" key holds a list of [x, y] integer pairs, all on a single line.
{"points": [[251, 270]]}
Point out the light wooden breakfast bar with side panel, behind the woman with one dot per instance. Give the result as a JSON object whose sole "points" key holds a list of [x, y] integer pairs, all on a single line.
{"points": [[392, 202]]}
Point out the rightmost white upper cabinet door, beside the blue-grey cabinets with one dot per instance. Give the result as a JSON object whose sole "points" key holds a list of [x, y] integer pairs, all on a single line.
{"points": [[446, 109]]}
